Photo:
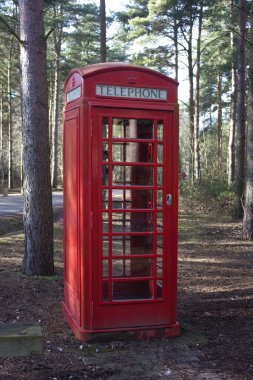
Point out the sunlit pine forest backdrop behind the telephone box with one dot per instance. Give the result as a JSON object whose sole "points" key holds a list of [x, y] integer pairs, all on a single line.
{"points": [[210, 40]]}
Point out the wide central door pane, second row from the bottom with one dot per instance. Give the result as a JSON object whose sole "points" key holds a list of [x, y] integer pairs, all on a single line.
{"points": [[132, 267]]}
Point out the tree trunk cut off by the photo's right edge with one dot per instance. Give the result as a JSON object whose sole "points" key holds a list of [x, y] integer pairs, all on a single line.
{"points": [[248, 208]]}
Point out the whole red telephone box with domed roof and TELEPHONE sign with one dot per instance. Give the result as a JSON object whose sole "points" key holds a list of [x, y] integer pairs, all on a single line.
{"points": [[120, 201]]}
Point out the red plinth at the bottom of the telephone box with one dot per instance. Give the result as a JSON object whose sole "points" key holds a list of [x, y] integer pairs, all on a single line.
{"points": [[138, 333]]}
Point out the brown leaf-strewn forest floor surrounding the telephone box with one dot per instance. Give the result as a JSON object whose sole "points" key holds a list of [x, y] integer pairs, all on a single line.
{"points": [[215, 311]]}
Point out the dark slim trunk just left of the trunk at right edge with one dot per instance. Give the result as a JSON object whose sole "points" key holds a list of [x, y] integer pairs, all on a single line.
{"points": [[240, 140]]}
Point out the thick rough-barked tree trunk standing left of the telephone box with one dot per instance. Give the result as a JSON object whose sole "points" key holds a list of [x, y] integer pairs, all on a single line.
{"points": [[38, 214]]}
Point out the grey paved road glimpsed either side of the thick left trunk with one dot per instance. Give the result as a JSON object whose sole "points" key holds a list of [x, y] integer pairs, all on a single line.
{"points": [[13, 203]]}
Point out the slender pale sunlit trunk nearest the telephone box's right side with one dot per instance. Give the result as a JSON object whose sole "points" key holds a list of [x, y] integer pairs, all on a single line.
{"points": [[197, 102]]}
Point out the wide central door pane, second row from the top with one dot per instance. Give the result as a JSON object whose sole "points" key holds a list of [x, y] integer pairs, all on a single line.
{"points": [[132, 152]]}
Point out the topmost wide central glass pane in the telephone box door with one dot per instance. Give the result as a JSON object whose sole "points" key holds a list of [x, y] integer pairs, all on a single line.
{"points": [[132, 128]]}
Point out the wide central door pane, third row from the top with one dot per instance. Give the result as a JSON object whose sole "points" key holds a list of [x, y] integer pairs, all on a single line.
{"points": [[132, 175]]}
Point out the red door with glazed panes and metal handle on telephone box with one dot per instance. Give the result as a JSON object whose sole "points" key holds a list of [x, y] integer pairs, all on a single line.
{"points": [[133, 275]]}
